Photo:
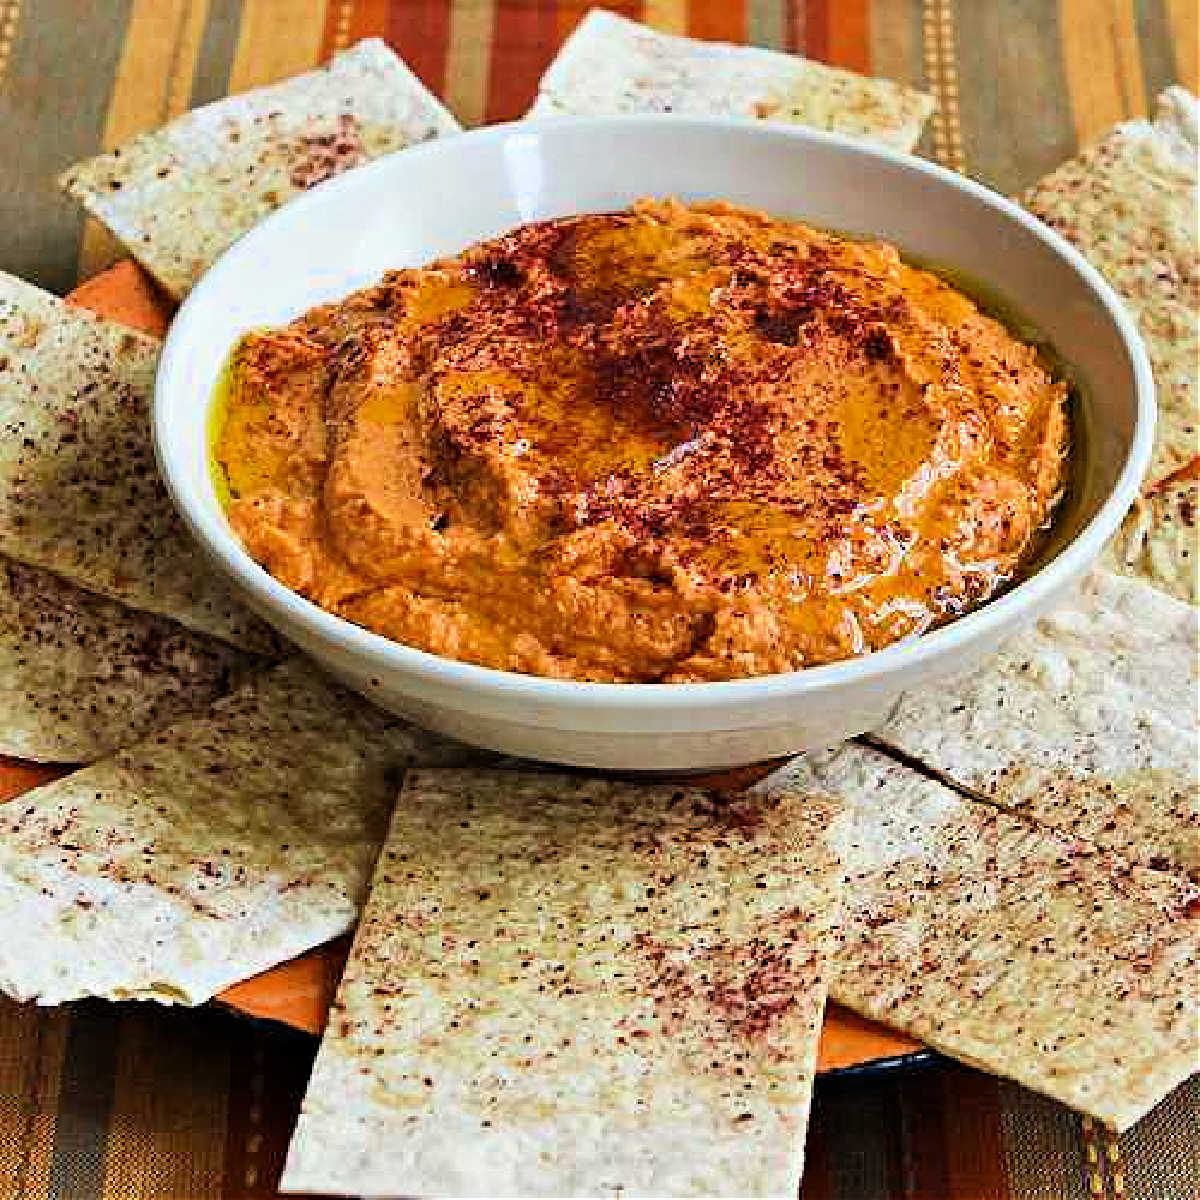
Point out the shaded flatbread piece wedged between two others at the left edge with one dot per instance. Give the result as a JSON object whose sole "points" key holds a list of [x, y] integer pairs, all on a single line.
{"points": [[81, 676]]}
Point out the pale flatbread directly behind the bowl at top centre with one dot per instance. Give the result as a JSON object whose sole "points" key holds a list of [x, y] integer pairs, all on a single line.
{"points": [[613, 65]]}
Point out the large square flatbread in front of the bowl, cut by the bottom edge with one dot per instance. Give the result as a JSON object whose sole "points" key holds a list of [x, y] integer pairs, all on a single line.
{"points": [[574, 987]]}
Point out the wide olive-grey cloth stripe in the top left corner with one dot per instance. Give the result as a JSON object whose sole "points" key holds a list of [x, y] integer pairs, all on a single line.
{"points": [[40, 229]]}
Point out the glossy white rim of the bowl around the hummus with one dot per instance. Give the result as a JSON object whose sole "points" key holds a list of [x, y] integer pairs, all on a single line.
{"points": [[705, 697]]}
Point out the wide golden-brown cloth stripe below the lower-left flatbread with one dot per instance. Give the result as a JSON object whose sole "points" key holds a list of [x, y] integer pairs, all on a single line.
{"points": [[167, 1127]]}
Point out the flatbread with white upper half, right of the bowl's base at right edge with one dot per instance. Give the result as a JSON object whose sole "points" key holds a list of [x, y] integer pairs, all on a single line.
{"points": [[1088, 724]]}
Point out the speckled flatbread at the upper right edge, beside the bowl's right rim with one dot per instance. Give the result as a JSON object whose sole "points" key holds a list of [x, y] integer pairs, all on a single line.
{"points": [[1130, 205]]}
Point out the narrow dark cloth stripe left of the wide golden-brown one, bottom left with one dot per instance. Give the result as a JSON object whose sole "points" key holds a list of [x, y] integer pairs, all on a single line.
{"points": [[77, 1168]]}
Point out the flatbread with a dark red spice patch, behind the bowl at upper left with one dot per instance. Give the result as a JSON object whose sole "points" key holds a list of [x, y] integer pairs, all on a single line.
{"points": [[179, 197]]}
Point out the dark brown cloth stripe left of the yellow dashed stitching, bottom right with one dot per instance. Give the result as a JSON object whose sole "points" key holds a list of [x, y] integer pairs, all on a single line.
{"points": [[1042, 1145]]}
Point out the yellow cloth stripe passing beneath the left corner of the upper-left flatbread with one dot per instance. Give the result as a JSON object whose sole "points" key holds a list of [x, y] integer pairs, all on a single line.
{"points": [[154, 80]]}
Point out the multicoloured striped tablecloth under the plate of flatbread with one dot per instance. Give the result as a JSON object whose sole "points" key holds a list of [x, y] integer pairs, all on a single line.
{"points": [[137, 1102]]}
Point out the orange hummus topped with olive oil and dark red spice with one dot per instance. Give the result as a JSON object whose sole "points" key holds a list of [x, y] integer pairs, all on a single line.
{"points": [[675, 443]]}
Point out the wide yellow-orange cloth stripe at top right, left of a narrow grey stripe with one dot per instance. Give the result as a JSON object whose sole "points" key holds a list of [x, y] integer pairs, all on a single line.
{"points": [[1102, 62]]}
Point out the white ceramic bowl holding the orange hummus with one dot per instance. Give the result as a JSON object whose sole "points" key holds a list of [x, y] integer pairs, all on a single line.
{"points": [[436, 199]]}
